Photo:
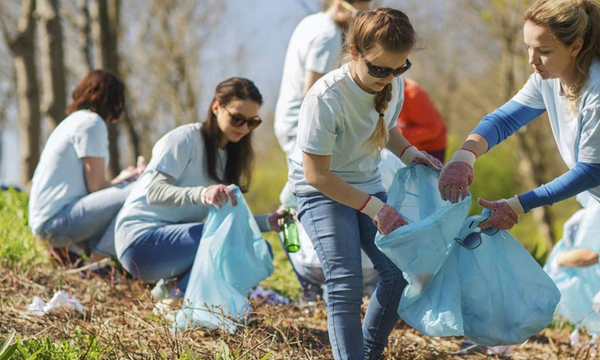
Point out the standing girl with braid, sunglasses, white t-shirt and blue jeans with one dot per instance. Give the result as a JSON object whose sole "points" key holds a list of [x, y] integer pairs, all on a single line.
{"points": [[346, 119]]}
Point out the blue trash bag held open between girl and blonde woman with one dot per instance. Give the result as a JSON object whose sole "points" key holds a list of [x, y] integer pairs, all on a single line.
{"points": [[496, 294]]}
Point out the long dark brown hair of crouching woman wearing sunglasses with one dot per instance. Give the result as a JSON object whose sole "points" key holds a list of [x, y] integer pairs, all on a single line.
{"points": [[240, 155]]}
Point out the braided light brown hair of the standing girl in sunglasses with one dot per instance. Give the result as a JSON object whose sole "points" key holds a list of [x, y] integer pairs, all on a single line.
{"points": [[384, 29]]}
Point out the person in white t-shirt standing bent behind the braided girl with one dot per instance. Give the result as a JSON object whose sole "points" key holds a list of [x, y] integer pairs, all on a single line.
{"points": [[314, 50]]}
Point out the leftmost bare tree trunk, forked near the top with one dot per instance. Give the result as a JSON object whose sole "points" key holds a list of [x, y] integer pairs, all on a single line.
{"points": [[22, 46]]}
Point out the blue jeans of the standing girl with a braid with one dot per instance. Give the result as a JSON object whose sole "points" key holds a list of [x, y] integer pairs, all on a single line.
{"points": [[338, 233]]}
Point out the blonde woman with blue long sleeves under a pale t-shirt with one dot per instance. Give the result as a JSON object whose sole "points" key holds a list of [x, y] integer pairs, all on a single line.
{"points": [[563, 41]]}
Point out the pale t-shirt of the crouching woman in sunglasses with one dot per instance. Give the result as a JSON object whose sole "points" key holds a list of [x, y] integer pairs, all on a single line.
{"points": [[180, 154]]}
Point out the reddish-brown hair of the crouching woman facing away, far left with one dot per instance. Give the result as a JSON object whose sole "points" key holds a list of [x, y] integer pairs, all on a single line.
{"points": [[101, 92]]}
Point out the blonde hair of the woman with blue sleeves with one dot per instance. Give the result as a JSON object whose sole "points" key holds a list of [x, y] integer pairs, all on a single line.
{"points": [[569, 20]]}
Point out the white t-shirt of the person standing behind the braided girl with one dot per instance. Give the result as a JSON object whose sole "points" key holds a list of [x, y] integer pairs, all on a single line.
{"points": [[315, 45]]}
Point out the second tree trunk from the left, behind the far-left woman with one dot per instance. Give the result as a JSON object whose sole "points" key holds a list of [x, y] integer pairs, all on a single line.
{"points": [[53, 68]]}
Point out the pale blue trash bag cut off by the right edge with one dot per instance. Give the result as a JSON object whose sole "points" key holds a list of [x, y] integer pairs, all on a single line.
{"points": [[578, 286]]}
